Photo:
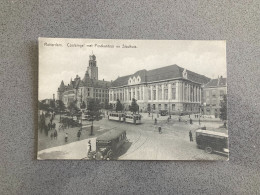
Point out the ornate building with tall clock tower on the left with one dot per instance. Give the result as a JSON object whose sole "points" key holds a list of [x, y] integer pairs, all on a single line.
{"points": [[80, 90]]}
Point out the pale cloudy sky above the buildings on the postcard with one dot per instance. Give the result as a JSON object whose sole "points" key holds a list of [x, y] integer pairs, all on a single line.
{"points": [[63, 59]]}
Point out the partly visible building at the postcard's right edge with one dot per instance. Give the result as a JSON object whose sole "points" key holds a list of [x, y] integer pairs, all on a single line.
{"points": [[213, 93]]}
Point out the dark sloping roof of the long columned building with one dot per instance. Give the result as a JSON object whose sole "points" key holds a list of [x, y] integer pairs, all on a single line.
{"points": [[164, 73]]}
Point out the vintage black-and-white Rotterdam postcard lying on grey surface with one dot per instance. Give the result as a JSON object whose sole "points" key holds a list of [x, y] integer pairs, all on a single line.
{"points": [[102, 99]]}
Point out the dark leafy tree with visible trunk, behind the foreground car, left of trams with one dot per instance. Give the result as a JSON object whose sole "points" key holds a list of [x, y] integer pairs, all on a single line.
{"points": [[93, 108]]}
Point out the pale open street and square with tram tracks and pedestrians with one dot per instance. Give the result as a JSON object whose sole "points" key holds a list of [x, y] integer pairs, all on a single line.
{"points": [[145, 141]]}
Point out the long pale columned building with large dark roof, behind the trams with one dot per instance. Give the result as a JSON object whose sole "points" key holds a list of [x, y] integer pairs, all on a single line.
{"points": [[171, 88]]}
